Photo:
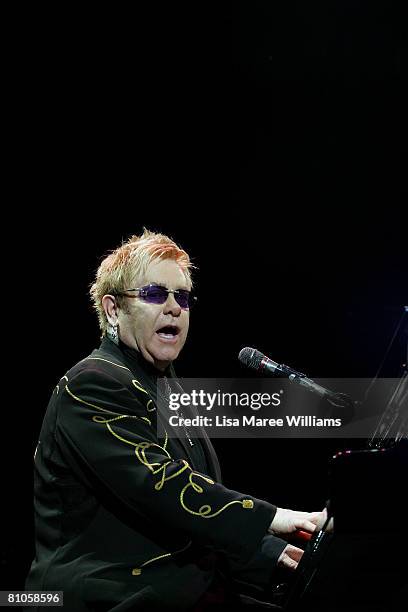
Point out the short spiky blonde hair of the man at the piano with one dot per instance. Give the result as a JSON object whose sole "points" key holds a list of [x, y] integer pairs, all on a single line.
{"points": [[128, 263]]}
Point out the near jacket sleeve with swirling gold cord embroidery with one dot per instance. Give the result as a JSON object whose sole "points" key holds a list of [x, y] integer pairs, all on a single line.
{"points": [[108, 434]]}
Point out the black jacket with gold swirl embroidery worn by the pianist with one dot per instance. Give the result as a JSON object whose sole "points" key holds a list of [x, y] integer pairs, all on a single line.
{"points": [[127, 521]]}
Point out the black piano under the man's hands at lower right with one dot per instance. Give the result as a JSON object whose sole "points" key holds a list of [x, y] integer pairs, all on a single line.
{"points": [[362, 564]]}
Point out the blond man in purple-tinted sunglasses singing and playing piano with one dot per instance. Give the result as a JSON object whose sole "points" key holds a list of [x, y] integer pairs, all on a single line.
{"points": [[126, 520]]}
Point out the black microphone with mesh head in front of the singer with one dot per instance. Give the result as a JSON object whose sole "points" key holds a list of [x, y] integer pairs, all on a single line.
{"points": [[258, 361]]}
